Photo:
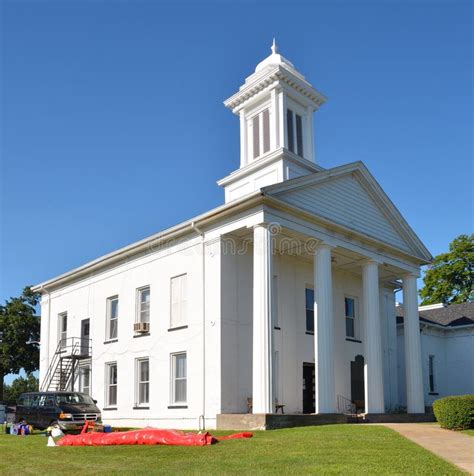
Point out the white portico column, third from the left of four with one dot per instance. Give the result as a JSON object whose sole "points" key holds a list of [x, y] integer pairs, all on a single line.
{"points": [[373, 368]]}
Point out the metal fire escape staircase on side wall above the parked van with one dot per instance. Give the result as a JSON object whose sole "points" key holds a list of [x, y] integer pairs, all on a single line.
{"points": [[63, 368]]}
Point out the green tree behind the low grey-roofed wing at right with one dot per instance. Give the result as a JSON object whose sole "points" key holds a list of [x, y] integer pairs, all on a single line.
{"points": [[450, 277]]}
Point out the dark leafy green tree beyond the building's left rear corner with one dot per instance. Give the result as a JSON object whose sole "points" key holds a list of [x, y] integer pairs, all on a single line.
{"points": [[19, 335]]}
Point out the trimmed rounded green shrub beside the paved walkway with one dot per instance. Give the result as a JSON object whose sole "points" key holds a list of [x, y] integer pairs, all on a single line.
{"points": [[455, 413]]}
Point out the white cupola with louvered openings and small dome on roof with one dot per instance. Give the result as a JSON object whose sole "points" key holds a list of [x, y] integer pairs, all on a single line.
{"points": [[275, 106]]}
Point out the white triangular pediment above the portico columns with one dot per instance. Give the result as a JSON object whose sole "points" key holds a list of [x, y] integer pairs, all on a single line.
{"points": [[350, 197]]}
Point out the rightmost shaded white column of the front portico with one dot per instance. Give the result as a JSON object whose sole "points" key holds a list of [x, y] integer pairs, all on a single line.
{"points": [[411, 330]]}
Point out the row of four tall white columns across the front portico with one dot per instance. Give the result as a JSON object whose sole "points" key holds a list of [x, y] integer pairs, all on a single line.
{"points": [[263, 400]]}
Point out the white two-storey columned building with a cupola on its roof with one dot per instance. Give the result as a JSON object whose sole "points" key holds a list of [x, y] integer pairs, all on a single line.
{"points": [[283, 295]]}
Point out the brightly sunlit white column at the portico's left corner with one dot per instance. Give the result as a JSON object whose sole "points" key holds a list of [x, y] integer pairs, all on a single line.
{"points": [[262, 393]]}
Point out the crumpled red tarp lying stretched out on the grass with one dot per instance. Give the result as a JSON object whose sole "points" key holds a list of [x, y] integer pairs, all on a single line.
{"points": [[146, 436]]}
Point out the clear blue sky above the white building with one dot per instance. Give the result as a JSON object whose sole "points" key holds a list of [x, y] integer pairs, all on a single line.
{"points": [[113, 126]]}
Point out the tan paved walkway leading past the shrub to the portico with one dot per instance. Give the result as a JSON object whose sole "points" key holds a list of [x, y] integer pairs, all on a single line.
{"points": [[455, 447]]}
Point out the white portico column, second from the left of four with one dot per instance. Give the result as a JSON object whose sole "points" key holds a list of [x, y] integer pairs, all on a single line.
{"points": [[323, 331]]}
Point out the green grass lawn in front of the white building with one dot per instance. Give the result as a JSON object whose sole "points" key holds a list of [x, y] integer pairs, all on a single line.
{"points": [[332, 449]]}
